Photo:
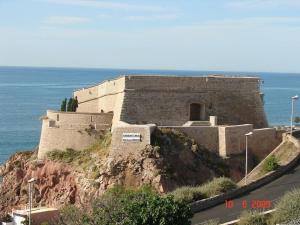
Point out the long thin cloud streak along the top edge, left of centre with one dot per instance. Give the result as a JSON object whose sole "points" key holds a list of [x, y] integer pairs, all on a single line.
{"points": [[107, 5]]}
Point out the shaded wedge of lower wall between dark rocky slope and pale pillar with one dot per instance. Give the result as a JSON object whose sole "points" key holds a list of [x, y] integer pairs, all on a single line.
{"points": [[203, 135]]}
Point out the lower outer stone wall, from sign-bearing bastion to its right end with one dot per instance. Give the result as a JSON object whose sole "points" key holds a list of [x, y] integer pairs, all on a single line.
{"points": [[223, 140]]}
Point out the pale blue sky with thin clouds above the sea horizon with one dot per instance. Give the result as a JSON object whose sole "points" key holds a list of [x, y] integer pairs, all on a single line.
{"points": [[225, 35]]}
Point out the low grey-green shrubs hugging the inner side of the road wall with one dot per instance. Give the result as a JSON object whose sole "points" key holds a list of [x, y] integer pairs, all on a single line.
{"points": [[215, 187]]}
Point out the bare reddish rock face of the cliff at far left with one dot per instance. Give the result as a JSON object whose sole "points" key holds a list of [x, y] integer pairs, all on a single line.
{"points": [[55, 184]]}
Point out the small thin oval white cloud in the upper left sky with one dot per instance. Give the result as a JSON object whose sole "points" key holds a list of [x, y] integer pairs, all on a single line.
{"points": [[66, 20]]}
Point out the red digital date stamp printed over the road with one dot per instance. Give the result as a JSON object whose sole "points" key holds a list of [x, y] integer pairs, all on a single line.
{"points": [[246, 204]]}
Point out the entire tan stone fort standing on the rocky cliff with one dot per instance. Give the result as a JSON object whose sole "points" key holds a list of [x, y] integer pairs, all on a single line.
{"points": [[217, 111]]}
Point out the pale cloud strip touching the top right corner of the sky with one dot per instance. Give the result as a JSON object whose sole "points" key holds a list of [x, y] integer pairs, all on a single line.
{"points": [[246, 4]]}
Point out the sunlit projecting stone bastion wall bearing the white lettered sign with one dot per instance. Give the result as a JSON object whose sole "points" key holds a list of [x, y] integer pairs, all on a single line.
{"points": [[124, 148]]}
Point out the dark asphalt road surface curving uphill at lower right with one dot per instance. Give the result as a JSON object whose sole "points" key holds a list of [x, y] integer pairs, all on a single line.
{"points": [[272, 191]]}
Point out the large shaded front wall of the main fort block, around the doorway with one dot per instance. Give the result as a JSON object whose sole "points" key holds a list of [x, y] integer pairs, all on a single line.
{"points": [[165, 101]]}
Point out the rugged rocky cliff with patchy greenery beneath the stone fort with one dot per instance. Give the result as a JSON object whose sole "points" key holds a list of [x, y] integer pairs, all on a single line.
{"points": [[72, 177]]}
